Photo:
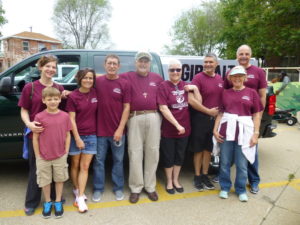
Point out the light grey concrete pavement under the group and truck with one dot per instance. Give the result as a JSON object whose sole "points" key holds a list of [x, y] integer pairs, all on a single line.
{"points": [[277, 203]]}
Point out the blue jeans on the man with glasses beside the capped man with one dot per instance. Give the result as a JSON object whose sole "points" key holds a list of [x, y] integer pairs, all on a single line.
{"points": [[103, 144]]}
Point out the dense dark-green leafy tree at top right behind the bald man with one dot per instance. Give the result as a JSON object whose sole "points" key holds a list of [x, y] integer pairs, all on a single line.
{"points": [[270, 27]]}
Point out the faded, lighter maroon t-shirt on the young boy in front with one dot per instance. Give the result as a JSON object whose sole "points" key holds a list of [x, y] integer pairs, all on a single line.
{"points": [[52, 140]]}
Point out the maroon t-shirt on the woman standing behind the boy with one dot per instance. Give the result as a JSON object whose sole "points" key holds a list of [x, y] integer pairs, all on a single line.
{"points": [[34, 105]]}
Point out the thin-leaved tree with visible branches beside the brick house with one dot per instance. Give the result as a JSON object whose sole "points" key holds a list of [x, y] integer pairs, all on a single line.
{"points": [[82, 23]]}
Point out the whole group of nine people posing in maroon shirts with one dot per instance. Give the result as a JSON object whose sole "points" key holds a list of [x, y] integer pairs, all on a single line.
{"points": [[161, 117]]}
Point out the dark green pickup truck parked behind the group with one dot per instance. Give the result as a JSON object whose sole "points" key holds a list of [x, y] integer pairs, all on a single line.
{"points": [[14, 79]]}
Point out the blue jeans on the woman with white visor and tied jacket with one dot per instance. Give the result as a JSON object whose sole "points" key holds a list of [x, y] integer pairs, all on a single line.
{"points": [[230, 150]]}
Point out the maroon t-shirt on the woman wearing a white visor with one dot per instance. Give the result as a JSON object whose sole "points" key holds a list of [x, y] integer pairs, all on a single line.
{"points": [[243, 103]]}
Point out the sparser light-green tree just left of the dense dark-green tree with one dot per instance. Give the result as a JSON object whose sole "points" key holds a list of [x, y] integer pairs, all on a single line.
{"points": [[196, 31]]}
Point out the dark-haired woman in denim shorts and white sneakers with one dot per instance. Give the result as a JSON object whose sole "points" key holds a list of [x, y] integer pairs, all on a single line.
{"points": [[82, 107]]}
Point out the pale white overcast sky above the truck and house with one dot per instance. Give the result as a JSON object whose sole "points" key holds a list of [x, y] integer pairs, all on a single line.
{"points": [[134, 24]]}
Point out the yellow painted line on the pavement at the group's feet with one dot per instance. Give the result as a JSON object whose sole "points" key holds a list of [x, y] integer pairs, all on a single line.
{"points": [[163, 196]]}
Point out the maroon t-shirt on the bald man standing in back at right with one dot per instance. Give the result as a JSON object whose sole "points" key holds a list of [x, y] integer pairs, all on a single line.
{"points": [[256, 79]]}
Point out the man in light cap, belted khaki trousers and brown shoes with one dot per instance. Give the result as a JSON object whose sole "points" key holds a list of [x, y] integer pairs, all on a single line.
{"points": [[143, 128]]}
